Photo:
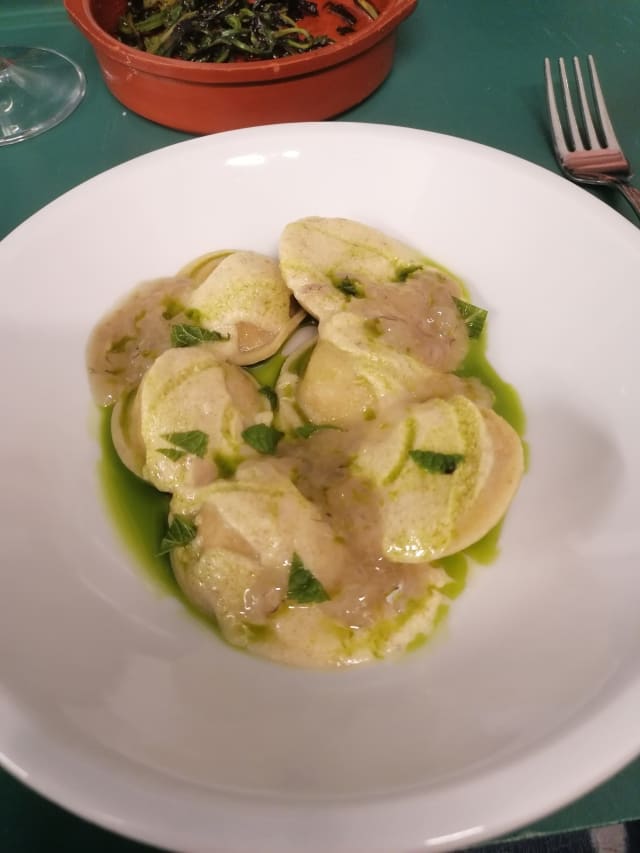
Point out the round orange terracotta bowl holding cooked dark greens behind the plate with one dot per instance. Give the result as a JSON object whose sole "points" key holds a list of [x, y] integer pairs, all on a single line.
{"points": [[207, 97]]}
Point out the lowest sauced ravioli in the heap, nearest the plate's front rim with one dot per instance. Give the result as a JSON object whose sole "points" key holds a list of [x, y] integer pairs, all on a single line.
{"points": [[238, 569]]}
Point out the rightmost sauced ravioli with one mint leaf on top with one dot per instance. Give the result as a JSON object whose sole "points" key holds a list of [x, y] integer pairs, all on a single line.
{"points": [[429, 510]]}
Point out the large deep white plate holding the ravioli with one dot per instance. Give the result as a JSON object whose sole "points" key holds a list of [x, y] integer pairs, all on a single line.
{"points": [[120, 706]]}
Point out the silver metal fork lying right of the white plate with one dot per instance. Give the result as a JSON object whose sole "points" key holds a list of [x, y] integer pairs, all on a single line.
{"points": [[593, 163]]}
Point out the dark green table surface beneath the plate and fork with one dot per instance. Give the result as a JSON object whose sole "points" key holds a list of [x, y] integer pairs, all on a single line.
{"points": [[469, 68]]}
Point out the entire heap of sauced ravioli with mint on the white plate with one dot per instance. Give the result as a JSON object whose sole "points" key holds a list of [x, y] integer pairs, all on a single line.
{"points": [[314, 420]]}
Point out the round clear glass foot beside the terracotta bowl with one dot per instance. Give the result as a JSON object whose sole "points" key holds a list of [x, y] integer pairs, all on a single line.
{"points": [[39, 87]]}
